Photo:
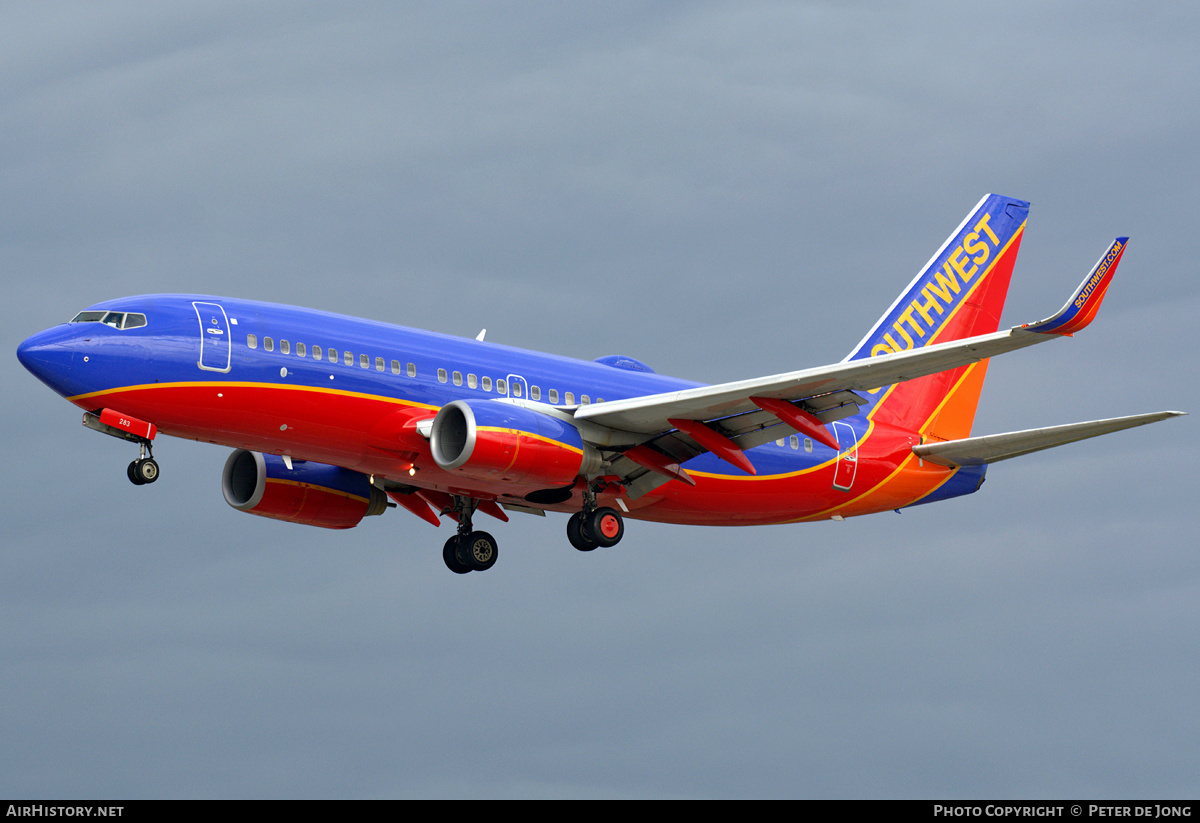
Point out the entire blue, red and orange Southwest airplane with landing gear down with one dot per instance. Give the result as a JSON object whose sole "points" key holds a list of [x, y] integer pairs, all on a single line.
{"points": [[334, 419]]}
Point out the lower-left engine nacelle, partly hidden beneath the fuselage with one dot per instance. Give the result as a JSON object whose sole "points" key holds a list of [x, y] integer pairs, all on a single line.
{"points": [[310, 494]]}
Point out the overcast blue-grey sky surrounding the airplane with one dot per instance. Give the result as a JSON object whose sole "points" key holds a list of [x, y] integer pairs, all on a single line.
{"points": [[721, 190]]}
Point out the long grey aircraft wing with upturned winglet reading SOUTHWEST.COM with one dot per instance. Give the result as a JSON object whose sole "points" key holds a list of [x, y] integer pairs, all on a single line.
{"points": [[653, 414]]}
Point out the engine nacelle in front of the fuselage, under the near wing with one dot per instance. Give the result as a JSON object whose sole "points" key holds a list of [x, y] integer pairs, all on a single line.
{"points": [[506, 443]]}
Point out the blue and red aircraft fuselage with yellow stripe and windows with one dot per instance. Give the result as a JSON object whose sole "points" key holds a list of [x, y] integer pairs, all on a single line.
{"points": [[332, 389]]}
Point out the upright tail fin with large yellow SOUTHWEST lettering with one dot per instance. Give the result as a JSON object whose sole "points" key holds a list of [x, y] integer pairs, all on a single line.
{"points": [[958, 295]]}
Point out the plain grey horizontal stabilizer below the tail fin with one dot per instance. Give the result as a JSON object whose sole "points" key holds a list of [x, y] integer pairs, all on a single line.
{"points": [[993, 448]]}
